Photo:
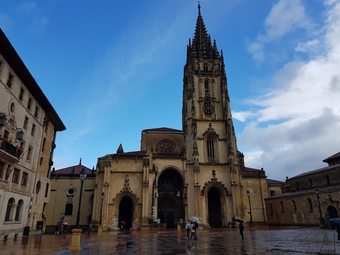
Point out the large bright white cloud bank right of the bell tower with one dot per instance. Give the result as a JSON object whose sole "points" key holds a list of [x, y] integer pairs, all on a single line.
{"points": [[297, 122]]}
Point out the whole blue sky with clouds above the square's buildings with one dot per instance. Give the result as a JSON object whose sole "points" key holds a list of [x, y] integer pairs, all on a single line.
{"points": [[114, 68]]}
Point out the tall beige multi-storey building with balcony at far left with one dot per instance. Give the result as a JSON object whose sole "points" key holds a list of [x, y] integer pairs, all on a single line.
{"points": [[28, 127]]}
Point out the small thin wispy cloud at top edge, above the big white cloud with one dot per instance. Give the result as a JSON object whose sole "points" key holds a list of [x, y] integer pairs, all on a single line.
{"points": [[285, 17]]}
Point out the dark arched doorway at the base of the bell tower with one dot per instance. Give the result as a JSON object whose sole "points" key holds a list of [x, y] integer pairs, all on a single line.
{"points": [[214, 208]]}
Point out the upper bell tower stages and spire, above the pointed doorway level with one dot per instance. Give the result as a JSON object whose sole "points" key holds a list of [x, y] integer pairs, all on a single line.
{"points": [[207, 121]]}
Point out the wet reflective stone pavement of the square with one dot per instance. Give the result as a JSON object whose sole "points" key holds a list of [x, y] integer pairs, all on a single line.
{"points": [[226, 241]]}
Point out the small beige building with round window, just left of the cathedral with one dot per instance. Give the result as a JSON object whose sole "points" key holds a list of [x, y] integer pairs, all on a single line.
{"points": [[65, 196]]}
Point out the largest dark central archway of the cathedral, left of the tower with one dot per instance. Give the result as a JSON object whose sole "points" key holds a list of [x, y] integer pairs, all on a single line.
{"points": [[170, 202]]}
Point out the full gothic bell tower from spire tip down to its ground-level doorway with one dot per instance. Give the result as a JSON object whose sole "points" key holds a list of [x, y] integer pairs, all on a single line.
{"points": [[211, 151]]}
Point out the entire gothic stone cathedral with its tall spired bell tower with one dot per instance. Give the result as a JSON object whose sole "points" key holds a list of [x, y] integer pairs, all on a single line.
{"points": [[197, 171]]}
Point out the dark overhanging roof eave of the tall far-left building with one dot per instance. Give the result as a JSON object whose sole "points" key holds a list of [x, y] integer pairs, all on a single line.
{"points": [[15, 62]]}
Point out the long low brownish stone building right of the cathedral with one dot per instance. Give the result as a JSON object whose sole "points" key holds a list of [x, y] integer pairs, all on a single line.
{"points": [[310, 198]]}
